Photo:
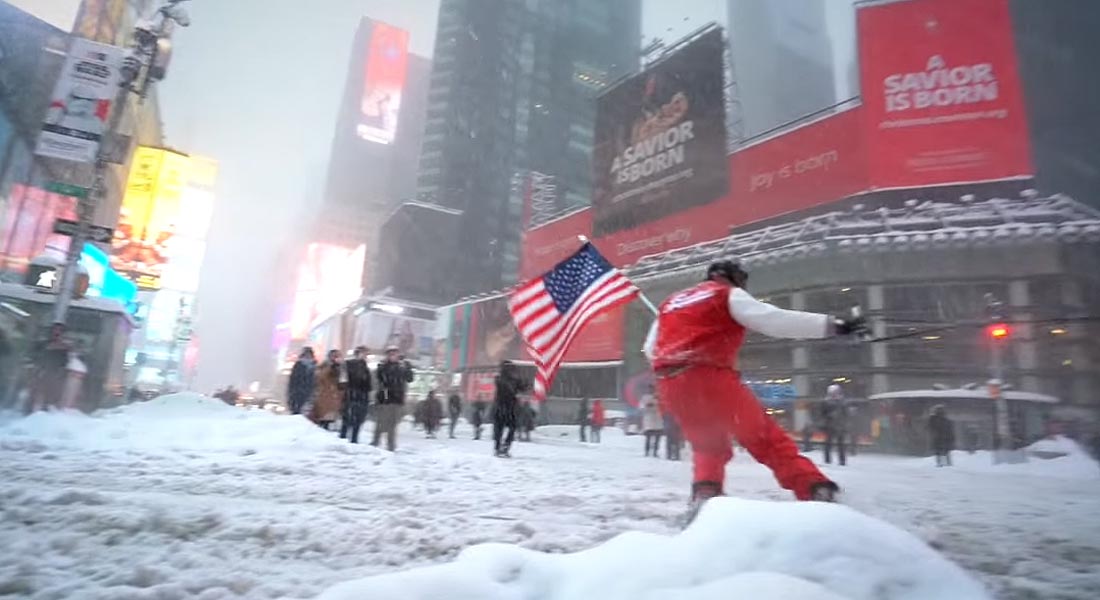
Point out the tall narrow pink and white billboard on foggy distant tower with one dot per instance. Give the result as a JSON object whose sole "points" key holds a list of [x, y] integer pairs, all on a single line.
{"points": [[386, 69]]}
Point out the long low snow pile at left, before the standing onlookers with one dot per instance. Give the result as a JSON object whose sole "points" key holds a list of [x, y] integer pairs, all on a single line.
{"points": [[178, 422]]}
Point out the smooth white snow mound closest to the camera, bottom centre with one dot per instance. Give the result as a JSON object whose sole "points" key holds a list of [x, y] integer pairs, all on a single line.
{"points": [[736, 549]]}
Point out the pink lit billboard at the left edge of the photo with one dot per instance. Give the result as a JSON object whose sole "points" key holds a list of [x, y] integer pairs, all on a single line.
{"points": [[29, 225]]}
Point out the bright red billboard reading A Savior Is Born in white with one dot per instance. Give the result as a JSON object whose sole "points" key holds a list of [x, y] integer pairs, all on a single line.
{"points": [[942, 93]]}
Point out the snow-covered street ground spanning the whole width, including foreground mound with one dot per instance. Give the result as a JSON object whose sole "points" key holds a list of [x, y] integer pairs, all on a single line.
{"points": [[188, 498]]}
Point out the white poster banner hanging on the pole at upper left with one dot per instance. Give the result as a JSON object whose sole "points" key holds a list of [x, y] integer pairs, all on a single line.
{"points": [[81, 104]]}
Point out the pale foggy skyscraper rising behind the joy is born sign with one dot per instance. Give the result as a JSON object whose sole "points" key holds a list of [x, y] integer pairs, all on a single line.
{"points": [[783, 61]]}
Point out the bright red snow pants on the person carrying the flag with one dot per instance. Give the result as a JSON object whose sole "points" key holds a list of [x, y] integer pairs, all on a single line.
{"points": [[712, 407]]}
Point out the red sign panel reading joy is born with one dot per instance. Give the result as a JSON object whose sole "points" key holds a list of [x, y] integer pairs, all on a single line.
{"points": [[815, 165]]}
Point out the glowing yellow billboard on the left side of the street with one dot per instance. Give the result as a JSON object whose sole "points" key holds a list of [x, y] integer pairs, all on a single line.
{"points": [[150, 215]]}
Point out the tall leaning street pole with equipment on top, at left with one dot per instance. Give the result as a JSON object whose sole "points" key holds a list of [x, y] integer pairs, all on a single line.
{"points": [[137, 74]]}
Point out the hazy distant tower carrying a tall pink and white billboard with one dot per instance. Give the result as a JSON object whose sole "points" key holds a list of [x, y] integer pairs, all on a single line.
{"points": [[372, 166]]}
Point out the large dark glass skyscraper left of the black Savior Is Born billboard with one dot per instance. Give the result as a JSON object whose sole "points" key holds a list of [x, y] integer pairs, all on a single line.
{"points": [[513, 90]]}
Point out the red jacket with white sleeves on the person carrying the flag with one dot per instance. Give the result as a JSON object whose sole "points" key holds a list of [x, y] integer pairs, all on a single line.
{"points": [[707, 325]]}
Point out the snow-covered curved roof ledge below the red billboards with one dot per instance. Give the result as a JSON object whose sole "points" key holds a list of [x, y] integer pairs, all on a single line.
{"points": [[918, 226]]}
